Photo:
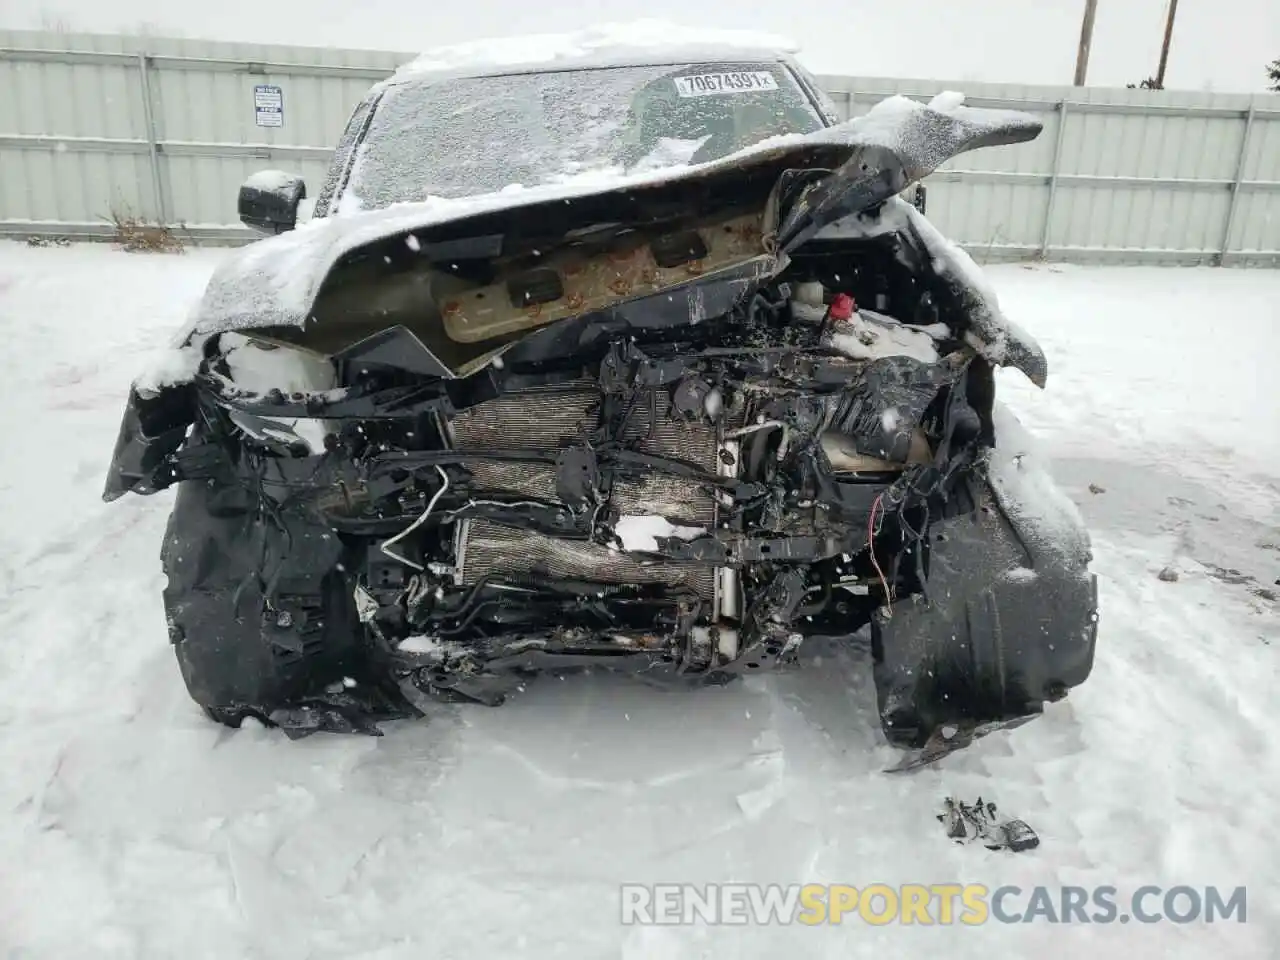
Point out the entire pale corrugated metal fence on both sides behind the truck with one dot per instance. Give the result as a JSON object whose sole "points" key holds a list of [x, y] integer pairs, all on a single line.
{"points": [[166, 130]]}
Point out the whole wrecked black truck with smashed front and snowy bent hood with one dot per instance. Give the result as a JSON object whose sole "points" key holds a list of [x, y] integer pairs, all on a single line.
{"points": [[701, 388]]}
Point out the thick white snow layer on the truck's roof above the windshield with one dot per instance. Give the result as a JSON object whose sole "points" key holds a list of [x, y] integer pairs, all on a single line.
{"points": [[607, 44]]}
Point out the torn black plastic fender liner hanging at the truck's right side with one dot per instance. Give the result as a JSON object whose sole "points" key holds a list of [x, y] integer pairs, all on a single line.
{"points": [[1007, 621]]}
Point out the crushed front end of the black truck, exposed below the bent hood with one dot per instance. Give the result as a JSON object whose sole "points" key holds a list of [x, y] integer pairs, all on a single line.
{"points": [[678, 446]]}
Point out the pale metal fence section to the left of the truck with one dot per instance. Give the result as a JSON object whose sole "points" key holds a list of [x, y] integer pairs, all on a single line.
{"points": [[94, 126]]}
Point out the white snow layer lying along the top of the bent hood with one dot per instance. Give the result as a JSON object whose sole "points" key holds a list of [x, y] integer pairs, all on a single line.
{"points": [[275, 282]]}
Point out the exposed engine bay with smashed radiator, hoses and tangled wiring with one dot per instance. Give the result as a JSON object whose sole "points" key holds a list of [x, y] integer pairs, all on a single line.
{"points": [[696, 495]]}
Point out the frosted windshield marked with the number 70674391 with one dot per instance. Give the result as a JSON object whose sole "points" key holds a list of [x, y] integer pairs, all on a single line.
{"points": [[464, 138]]}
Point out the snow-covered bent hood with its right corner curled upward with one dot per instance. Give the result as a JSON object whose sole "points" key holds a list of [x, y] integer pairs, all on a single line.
{"points": [[856, 166]]}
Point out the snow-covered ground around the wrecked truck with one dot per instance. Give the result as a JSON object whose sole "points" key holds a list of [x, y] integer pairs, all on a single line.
{"points": [[132, 828]]}
